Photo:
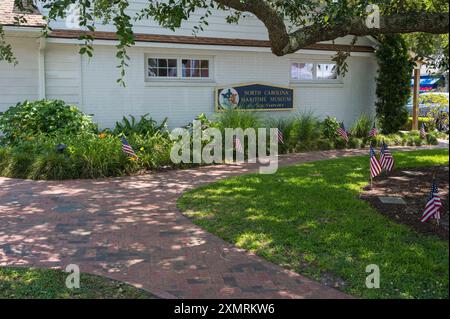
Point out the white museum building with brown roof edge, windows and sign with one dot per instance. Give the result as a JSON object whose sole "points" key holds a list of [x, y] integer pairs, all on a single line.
{"points": [[177, 75]]}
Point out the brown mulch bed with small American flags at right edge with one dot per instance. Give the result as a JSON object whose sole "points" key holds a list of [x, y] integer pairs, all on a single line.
{"points": [[414, 186]]}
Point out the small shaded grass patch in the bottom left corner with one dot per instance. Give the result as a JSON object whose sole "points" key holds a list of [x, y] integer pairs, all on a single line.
{"points": [[29, 283]]}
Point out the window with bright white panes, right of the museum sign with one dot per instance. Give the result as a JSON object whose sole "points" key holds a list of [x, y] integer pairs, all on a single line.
{"points": [[312, 71]]}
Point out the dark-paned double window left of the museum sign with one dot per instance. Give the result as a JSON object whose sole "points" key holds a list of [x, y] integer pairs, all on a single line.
{"points": [[178, 68]]}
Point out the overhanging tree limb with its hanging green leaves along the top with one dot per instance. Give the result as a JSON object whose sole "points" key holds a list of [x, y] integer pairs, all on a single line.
{"points": [[291, 24]]}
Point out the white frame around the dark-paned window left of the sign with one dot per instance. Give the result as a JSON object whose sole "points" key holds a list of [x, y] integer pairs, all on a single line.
{"points": [[179, 76]]}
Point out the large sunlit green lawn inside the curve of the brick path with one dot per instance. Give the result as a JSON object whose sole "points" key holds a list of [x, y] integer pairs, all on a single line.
{"points": [[308, 218]]}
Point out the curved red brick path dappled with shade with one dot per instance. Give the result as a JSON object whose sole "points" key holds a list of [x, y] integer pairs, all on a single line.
{"points": [[129, 229]]}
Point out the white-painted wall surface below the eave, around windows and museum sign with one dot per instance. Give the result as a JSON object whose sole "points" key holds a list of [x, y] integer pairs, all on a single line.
{"points": [[181, 101]]}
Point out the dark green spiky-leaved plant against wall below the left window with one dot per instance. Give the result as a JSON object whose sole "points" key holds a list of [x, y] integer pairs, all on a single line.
{"points": [[146, 125]]}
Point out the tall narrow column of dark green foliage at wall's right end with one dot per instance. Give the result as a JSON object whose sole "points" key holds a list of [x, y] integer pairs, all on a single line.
{"points": [[393, 83]]}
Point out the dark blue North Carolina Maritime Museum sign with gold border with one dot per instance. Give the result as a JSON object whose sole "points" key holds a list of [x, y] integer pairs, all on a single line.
{"points": [[254, 97]]}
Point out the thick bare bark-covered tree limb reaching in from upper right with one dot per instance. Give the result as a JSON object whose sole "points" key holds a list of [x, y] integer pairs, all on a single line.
{"points": [[283, 43]]}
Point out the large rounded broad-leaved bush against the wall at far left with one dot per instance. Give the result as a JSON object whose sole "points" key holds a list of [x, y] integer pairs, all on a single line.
{"points": [[29, 119]]}
